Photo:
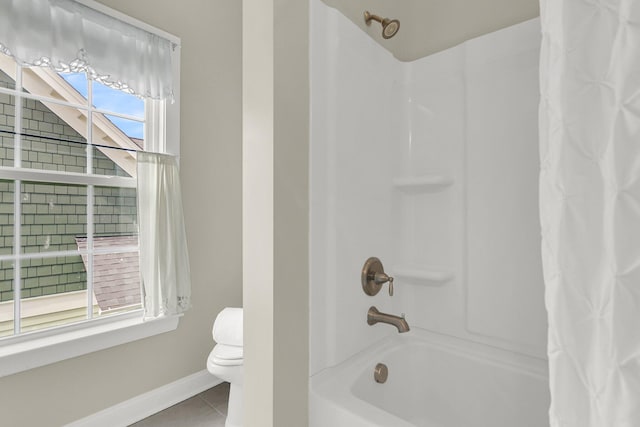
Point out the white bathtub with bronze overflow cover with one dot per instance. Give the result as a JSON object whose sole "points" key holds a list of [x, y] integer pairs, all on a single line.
{"points": [[433, 381]]}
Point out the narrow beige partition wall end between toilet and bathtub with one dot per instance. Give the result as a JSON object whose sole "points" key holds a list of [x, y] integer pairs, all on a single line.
{"points": [[275, 214]]}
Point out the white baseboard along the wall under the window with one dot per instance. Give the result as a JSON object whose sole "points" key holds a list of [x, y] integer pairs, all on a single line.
{"points": [[135, 409]]}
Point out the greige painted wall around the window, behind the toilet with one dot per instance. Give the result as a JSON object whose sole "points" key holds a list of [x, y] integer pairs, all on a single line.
{"points": [[211, 179]]}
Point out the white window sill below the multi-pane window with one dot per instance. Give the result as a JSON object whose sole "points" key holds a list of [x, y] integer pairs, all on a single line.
{"points": [[32, 351]]}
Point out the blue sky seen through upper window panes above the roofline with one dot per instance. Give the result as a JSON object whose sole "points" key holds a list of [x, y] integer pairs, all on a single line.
{"points": [[112, 100]]}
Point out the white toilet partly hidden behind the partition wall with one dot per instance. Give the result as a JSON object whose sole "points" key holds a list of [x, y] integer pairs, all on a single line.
{"points": [[226, 360]]}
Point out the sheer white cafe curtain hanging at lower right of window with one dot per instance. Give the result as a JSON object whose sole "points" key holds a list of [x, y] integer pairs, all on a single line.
{"points": [[164, 260]]}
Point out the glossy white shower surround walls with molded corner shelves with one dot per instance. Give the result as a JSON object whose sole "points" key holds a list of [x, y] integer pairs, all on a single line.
{"points": [[431, 166]]}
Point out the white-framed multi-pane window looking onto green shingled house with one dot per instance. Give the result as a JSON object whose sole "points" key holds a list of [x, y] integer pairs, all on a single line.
{"points": [[69, 138]]}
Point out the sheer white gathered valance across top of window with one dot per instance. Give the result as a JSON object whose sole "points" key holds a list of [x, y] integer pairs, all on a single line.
{"points": [[68, 36]]}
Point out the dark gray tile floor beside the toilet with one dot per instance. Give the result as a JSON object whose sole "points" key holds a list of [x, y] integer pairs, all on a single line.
{"points": [[208, 408]]}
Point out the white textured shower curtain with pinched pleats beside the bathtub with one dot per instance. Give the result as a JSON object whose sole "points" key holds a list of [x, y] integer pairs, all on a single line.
{"points": [[590, 209]]}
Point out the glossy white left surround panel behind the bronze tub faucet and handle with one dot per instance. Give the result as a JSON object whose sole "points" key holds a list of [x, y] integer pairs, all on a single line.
{"points": [[356, 131]]}
